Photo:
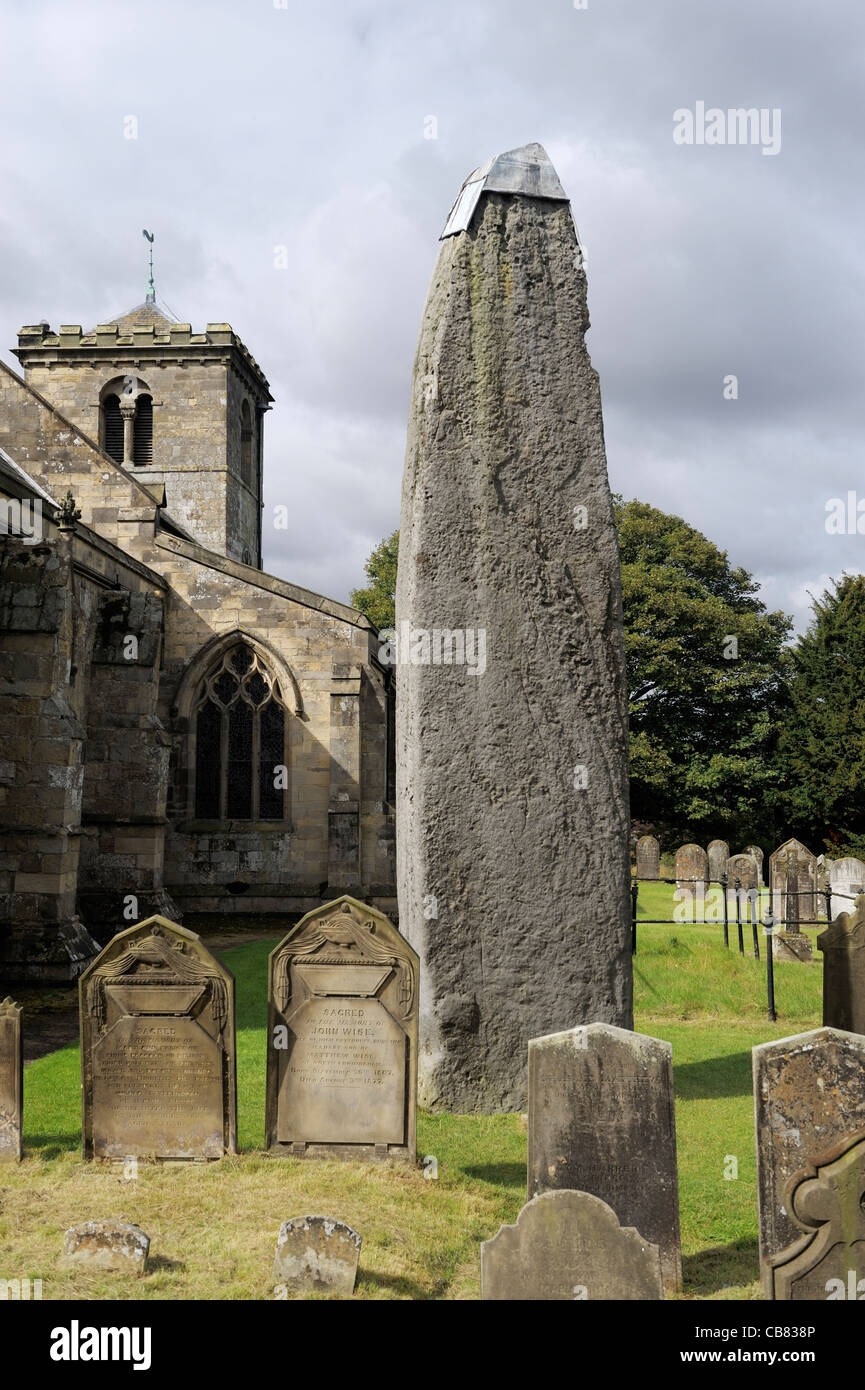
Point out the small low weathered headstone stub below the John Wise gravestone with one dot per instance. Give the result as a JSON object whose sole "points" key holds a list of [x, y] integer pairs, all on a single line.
{"points": [[316, 1254]]}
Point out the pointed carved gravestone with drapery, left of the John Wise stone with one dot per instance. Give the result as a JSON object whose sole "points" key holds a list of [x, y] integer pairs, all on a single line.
{"points": [[158, 1049]]}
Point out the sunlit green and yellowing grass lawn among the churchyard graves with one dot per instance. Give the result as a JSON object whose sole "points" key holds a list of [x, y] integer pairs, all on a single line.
{"points": [[213, 1227]]}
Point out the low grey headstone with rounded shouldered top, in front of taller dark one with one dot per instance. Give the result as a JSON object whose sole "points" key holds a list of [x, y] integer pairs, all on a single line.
{"points": [[569, 1246]]}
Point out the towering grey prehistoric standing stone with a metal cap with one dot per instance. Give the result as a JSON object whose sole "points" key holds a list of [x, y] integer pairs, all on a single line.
{"points": [[512, 804]]}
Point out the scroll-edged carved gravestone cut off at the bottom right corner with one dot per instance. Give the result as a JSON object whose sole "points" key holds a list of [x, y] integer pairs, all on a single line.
{"points": [[828, 1203]]}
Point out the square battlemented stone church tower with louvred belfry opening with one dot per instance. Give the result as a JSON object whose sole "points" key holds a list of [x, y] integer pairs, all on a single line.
{"points": [[184, 412]]}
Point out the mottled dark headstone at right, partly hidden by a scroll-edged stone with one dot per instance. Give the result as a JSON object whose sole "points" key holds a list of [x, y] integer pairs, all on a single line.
{"points": [[809, 1107]]}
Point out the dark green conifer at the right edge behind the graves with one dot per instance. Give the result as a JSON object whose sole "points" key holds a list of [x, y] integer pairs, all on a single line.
{"points": [[823, 743]]}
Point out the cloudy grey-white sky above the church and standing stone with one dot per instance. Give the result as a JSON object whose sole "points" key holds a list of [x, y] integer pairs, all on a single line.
{"points": [[302, 127]]}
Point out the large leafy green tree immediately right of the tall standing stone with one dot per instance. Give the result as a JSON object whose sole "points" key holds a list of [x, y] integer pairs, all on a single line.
{"points": [[707, 675]]}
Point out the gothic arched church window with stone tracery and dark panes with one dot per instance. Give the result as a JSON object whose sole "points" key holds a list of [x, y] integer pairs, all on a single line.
{"points": [[240, 747]]}
